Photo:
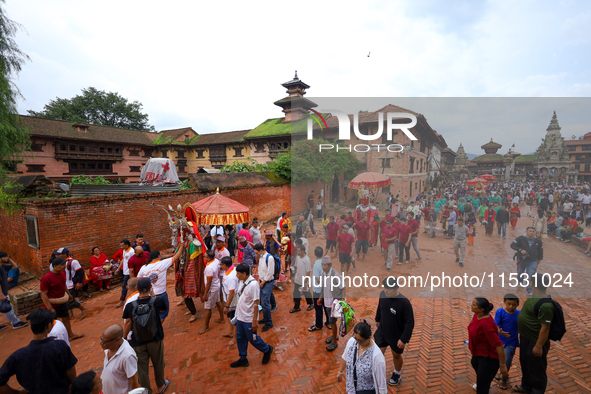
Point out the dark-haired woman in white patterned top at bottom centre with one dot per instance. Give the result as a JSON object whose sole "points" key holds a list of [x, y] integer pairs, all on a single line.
{"points": [[363, 363]]}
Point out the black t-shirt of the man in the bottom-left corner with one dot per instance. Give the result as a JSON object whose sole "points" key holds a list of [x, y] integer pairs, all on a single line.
{"points": [[40, 367]]}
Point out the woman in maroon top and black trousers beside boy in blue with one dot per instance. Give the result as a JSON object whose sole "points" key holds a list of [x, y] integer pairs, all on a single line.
{"points": [[485, 346]]}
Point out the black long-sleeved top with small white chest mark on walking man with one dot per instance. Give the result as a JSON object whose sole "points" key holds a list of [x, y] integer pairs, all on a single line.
{"points": [[396, 319]]}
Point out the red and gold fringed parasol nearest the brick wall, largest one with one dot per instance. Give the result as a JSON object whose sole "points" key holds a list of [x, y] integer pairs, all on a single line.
{"points": [[217, 210]]}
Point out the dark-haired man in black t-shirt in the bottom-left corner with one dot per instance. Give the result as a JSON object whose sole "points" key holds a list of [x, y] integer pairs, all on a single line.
{"points": [[46, 365]]}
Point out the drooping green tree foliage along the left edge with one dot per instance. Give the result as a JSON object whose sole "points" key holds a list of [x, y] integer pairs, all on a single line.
{"points": [[13, 135]]}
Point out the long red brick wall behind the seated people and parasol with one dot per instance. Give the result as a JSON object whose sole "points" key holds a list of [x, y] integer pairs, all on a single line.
{"points": [[81, 223]]}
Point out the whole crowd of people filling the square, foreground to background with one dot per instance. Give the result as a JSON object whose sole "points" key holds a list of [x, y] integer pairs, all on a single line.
{"points": [[244, 264]]}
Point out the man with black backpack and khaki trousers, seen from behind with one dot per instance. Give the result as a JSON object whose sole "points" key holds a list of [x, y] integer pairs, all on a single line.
{"points": [[147, 336]]}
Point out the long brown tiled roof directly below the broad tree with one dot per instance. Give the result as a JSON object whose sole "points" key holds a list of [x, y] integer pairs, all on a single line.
{"points": [[60, 129]]}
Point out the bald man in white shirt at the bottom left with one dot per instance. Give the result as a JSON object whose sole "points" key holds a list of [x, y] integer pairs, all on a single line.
{"points": [[120, 363]]}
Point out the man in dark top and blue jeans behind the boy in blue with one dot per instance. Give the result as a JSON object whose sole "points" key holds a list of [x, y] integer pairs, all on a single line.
{"points": [[529, 255]]}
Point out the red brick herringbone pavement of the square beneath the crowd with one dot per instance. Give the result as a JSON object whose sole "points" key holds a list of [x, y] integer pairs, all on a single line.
{"points": [[436, 359]]}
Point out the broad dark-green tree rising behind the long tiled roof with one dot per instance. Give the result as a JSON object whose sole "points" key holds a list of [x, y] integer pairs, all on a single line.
{"points": [[97, 107]]}
